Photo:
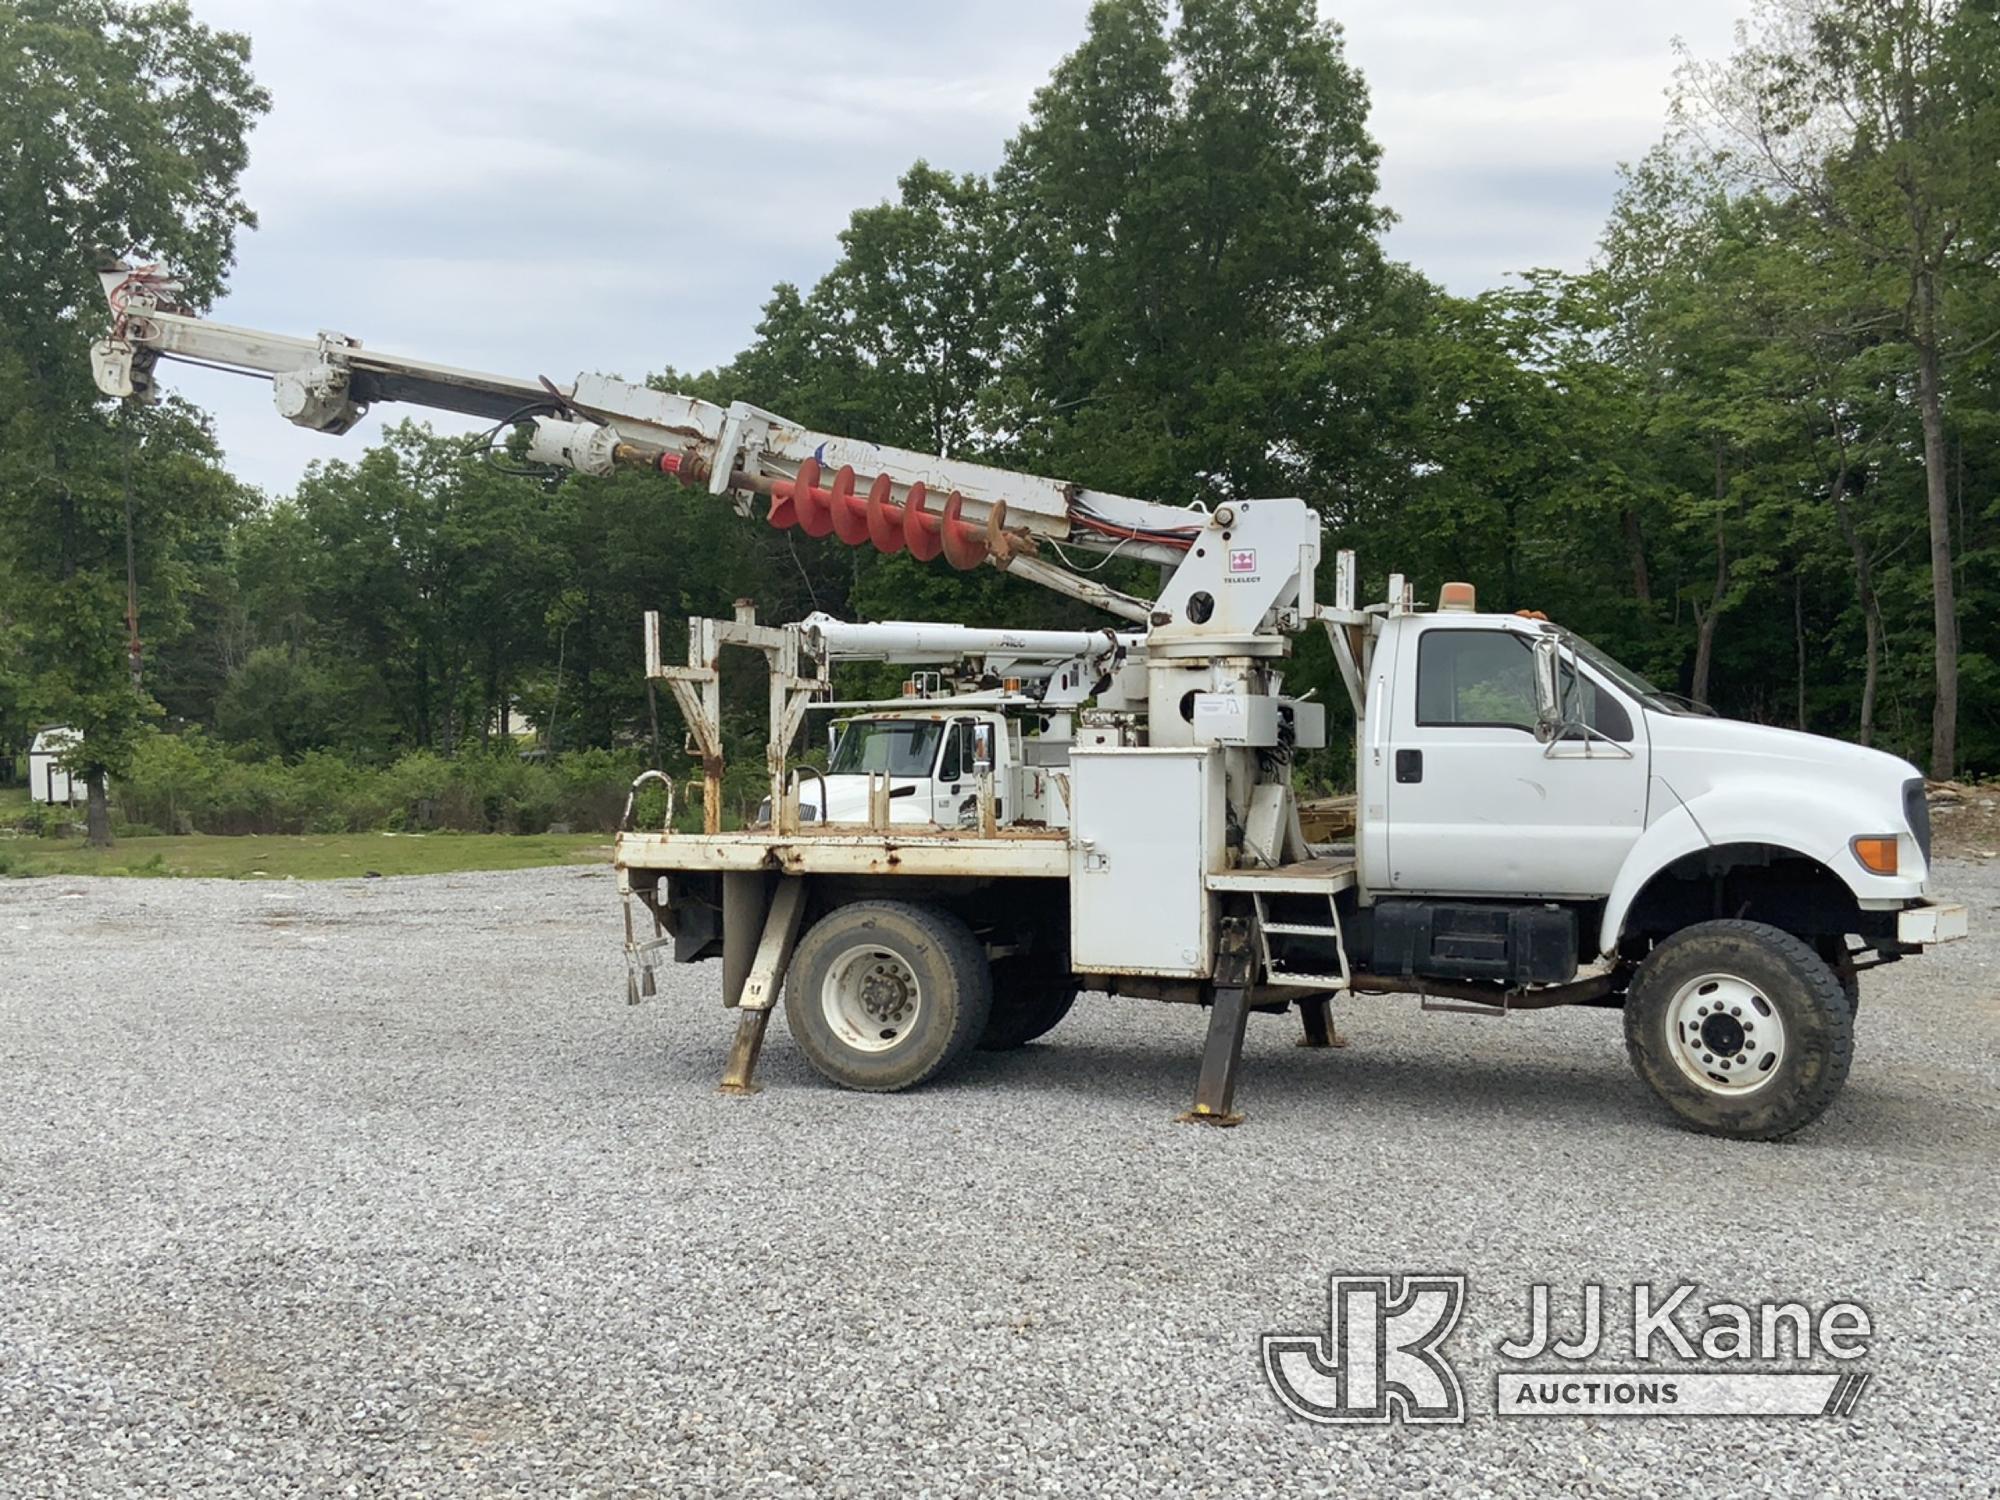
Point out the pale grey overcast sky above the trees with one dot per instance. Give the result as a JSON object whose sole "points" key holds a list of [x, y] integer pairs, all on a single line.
{"points": [[617, 185]]}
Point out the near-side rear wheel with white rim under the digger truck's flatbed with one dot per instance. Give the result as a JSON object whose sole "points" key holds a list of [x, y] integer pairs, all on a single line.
{"points": [[887, 995]]}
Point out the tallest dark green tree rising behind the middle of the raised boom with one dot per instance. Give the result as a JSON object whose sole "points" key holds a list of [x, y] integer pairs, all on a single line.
{"points": [[1193, 213]]}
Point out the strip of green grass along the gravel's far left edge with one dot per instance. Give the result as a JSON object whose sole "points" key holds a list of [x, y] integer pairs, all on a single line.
{"points": [[307, 857]]}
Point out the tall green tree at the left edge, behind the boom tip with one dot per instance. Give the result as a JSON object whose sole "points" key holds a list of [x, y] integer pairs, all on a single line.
{"points": [[121, 127]]}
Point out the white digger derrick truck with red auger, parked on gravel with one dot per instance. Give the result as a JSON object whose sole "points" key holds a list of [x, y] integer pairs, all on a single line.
{"points": [[1061, 813]]}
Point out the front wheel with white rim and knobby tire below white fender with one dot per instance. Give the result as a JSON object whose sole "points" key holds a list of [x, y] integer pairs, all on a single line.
{"points": [[1741, 1029]]}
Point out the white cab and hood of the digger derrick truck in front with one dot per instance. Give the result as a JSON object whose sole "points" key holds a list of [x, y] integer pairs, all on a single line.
{"points": [[1507, 759]]}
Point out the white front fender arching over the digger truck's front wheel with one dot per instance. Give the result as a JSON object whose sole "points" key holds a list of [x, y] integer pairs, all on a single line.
{"points": [[1767, 811]]}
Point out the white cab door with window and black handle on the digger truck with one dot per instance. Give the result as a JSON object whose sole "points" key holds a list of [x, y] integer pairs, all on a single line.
{"points": [[1477, 805]]}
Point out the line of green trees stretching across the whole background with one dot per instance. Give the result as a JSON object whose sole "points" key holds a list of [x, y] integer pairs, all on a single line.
{"points": [[1749, 451]]}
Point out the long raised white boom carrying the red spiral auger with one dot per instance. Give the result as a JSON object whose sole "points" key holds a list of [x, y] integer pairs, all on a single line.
{"points": [[823, 483]]}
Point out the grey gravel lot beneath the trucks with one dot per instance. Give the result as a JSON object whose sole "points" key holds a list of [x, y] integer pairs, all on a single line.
{"points": [[381, 1189]]}
